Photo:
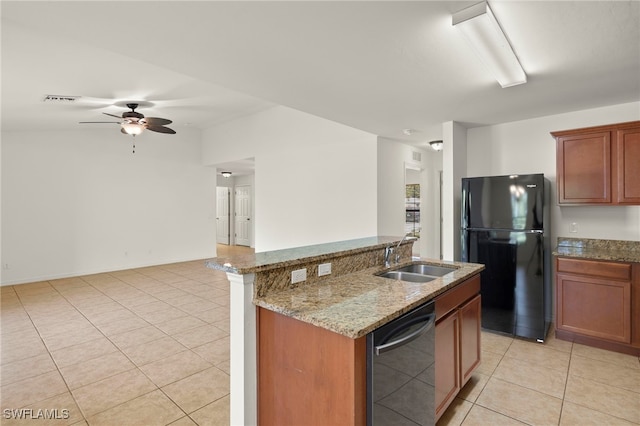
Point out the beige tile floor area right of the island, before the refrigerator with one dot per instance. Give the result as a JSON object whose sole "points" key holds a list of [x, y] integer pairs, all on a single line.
{"points": [[552, 383]]}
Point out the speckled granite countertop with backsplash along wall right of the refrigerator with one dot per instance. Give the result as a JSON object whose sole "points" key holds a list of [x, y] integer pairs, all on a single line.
{"points": [[584, 248]]}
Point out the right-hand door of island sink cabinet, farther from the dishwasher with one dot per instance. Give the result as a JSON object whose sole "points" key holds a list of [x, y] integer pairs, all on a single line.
{"points": [[469, 338]]}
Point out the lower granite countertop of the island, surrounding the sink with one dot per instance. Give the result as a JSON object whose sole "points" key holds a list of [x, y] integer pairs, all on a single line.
{"points": [[355, 304]]}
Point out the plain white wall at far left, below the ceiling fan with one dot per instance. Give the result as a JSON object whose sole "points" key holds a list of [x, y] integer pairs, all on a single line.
{"points": [[81, 202]]}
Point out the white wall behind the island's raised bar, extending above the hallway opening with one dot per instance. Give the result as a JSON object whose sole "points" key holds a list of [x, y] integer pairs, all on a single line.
{"points": [[315, 180]]}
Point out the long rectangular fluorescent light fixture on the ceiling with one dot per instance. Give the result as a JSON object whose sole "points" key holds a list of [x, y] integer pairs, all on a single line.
{"points": [[482, 30]]}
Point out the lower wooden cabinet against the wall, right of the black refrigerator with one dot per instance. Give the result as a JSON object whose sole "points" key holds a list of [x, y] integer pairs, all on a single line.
{"points": [[595, 304]]}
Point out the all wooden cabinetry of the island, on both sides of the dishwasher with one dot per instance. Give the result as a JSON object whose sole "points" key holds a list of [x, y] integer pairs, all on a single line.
{"points": [[310, 375]]}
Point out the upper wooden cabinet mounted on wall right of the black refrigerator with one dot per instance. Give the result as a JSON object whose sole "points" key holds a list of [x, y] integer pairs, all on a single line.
{"points": [[599, 165]]}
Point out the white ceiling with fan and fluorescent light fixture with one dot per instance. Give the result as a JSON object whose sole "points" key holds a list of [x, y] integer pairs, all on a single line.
{"points": [[377, 66]]}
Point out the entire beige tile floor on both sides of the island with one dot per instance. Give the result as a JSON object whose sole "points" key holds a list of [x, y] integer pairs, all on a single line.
{"points": [[150, 346]]}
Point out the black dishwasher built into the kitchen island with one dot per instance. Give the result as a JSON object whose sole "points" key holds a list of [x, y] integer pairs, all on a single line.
{"points": [[401, 370]]}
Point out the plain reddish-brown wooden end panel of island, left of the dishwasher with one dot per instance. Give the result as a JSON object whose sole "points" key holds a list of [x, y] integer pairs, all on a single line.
{"points": [[309, 375]]}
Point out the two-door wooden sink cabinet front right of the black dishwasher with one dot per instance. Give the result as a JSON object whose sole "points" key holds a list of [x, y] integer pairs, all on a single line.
{"points": [[457, 340]]}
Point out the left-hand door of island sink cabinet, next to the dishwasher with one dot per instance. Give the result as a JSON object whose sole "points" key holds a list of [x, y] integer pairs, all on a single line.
{"points": [[447, 362]]}
